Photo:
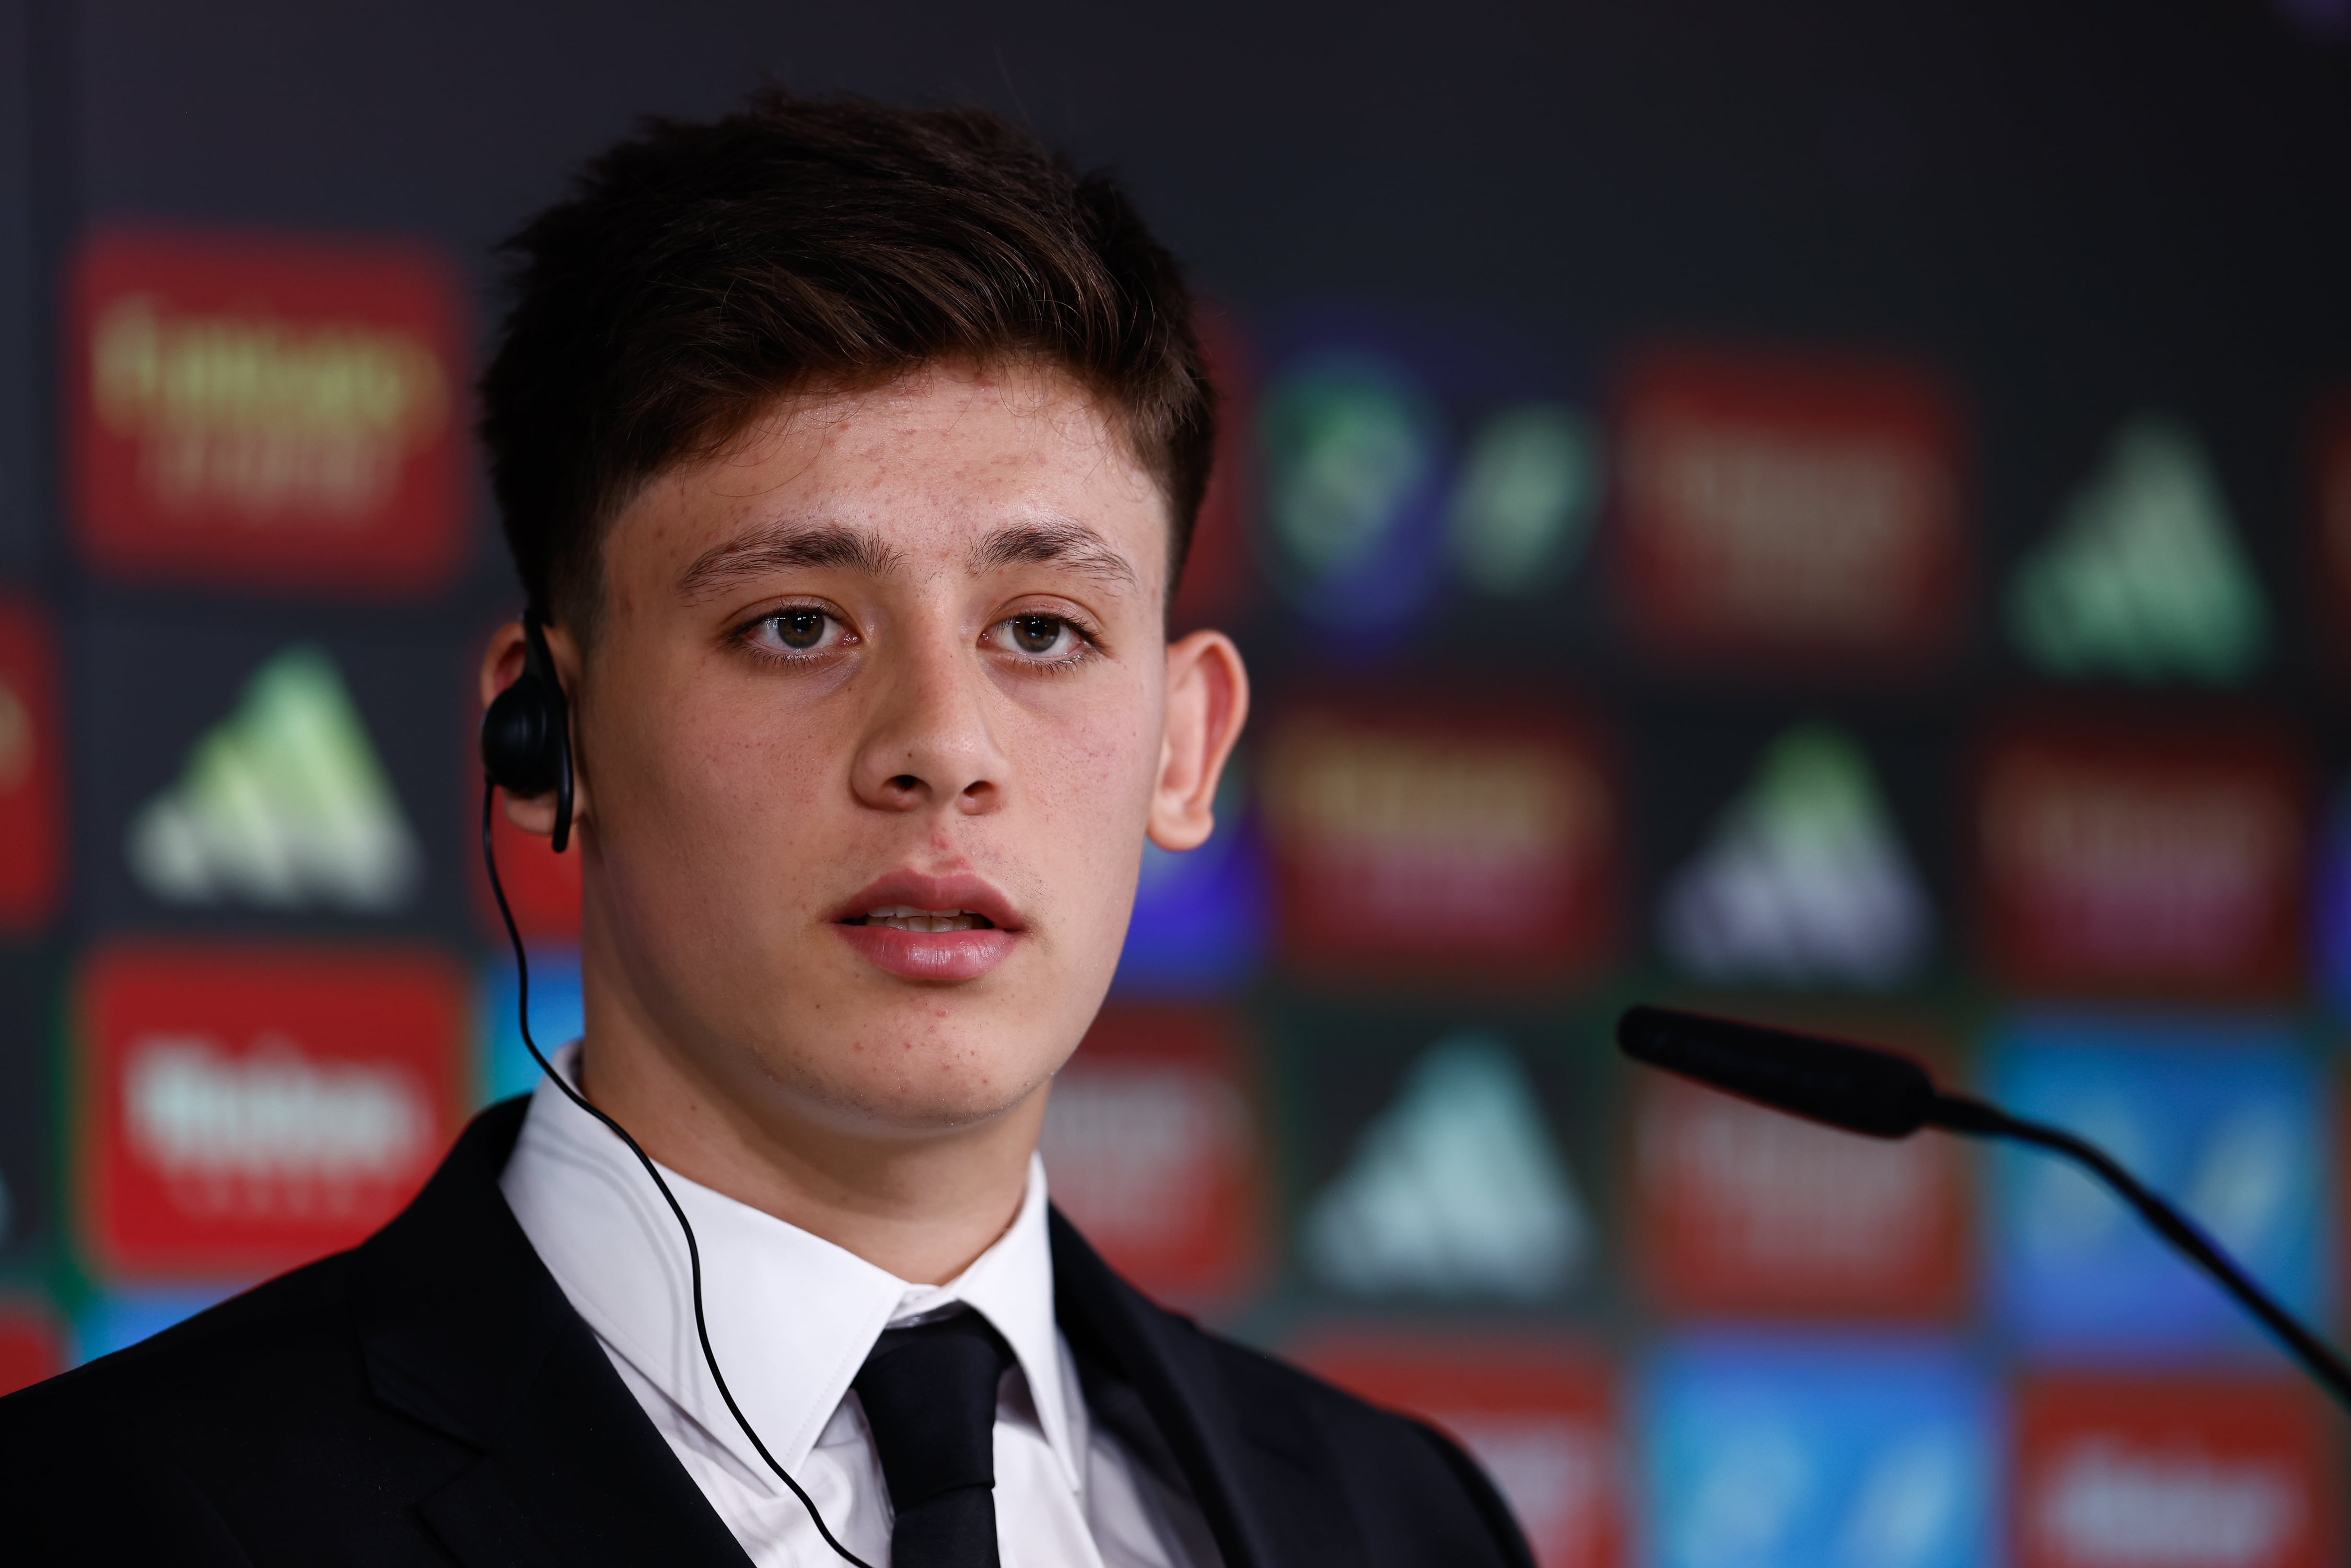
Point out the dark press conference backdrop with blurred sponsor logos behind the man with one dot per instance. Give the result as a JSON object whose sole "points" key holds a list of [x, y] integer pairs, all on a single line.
{"points": [[1823, 511]]}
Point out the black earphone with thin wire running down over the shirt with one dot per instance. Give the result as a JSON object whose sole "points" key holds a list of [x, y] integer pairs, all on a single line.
{"points": [[528, 751]]}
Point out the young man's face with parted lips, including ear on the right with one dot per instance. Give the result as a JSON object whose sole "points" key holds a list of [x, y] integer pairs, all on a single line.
{"points": [[869, 744]]}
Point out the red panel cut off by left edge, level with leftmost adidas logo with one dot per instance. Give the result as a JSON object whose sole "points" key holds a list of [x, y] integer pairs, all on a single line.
{"points": [[32, 772]]}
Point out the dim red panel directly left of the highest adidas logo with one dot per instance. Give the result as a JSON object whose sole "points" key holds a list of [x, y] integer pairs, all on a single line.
{"points": [[1795, 511]]}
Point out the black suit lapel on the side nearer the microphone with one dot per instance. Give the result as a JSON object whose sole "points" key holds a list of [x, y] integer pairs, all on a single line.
{"points": [[1257, 1468]]}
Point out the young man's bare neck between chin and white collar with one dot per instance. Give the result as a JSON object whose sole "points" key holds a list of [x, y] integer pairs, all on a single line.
{"points": [[920, 1205]]}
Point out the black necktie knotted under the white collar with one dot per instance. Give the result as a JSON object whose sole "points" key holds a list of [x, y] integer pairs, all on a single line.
{"points": [[930, 1400]]}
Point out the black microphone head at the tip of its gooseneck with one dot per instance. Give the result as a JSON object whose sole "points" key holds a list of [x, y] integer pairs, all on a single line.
{"points": [[1823, 1080]]}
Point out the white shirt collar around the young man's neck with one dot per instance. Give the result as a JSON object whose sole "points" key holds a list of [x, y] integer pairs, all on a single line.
{"points": [[791, 1315]]}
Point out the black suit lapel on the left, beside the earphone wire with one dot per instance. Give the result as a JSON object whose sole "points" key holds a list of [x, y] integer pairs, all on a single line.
{"points": [[469, 1334]]}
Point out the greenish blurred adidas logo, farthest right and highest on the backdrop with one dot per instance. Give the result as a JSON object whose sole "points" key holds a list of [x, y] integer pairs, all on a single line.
{"points": [[2143, 577]]}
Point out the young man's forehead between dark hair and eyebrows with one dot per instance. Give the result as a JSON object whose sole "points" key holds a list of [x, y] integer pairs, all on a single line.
{"points": [[927, 469]]}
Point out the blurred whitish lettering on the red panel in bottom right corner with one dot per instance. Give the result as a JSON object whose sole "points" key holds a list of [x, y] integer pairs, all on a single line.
{"points": [[2110, 1508]]}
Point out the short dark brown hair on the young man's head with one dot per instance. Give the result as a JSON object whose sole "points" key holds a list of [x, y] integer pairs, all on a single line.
{"points": [[702, 272]]}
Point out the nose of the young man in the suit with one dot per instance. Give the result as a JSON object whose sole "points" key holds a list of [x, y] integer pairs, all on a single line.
{"points": [[927, 742]]}
